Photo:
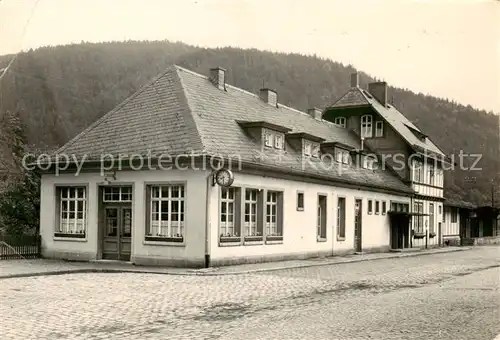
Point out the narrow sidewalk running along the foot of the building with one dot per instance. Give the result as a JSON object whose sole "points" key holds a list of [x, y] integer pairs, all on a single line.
{"points": [[41, 267]]}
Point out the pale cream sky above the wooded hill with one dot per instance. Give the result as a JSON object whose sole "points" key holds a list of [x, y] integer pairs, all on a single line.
{"points": [[446, 48]]}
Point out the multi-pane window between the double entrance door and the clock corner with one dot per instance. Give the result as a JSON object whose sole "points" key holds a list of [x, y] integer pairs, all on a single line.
{"points": [[166, 213]]}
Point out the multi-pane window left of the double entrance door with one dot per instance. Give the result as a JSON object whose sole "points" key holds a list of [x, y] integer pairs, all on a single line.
{"points": [[72, 212]]}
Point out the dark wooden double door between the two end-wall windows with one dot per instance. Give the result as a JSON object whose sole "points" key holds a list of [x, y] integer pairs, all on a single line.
{"points": [[117, 233]]}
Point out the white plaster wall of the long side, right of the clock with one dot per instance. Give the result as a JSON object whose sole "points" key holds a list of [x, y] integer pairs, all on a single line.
{"points": [[299, 227]]}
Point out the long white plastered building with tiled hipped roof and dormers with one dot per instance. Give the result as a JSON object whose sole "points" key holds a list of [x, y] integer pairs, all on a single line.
{"points": [[190, 171]]}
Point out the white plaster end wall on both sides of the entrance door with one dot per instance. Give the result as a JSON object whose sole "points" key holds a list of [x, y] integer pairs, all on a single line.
{"points": [[195, 182]]}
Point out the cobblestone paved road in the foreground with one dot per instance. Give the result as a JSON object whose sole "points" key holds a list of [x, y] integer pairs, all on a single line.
{"points": [[445, 296]]}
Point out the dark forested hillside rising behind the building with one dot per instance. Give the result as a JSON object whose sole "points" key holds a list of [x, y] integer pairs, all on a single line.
{"points": [[58, 91]]}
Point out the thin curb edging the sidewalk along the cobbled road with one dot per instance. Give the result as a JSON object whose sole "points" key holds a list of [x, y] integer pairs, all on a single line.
{"points": [[215, 273]]}
